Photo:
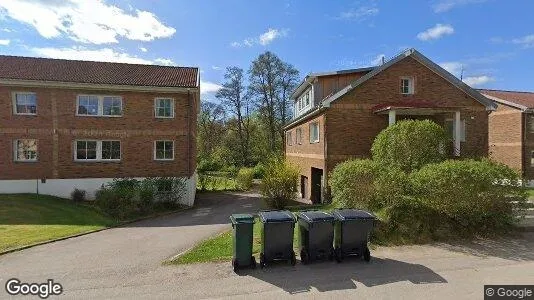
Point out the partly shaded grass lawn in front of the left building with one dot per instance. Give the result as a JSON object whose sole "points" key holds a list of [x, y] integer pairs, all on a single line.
{"points": [[26, 219]]}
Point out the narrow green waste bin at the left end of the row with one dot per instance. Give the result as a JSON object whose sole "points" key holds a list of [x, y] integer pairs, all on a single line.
{"points": [[243, 225]]}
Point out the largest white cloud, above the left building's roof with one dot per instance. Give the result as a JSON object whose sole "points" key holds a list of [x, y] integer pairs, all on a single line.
{"points": [[93, 22]]}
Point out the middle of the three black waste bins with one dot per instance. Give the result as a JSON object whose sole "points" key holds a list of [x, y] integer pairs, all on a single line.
{"points": [[316, 234]]}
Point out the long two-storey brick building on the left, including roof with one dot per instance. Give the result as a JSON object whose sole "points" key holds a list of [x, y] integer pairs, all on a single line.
{"points": [[77, 124]]}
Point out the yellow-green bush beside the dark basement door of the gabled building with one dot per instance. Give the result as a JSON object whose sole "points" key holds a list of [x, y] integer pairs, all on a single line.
{"points": [[279, 185]]}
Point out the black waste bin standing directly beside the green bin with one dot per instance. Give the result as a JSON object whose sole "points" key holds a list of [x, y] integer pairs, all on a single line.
{"points": [[277, 237]]}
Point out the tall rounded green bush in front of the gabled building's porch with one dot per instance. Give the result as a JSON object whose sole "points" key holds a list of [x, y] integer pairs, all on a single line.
{"points": [[409, 145]]}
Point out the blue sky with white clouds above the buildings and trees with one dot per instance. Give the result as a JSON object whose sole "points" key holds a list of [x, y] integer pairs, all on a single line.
{"points": [[492, 41]]}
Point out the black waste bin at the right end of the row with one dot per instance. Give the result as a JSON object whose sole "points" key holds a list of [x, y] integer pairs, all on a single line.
{"points": [[351, 234]]}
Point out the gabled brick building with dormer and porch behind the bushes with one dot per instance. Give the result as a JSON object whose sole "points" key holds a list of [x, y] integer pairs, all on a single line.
{"points": [[337, 115]]}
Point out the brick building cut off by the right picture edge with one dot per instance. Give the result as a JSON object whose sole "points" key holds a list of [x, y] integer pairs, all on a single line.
{"points": [[511, 130]]}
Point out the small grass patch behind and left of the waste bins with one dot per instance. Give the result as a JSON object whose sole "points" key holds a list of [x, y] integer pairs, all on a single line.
{"points": [[220, 247]]}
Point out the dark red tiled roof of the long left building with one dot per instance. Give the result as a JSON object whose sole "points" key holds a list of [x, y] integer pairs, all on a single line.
{"points": [[92, 72]]}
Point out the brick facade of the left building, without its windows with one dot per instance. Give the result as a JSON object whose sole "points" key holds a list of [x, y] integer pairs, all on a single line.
{"points": [[137, 129]]}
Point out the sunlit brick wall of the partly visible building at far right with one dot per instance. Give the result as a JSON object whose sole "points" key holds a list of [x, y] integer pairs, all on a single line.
{"points": [[505, 136]]}
